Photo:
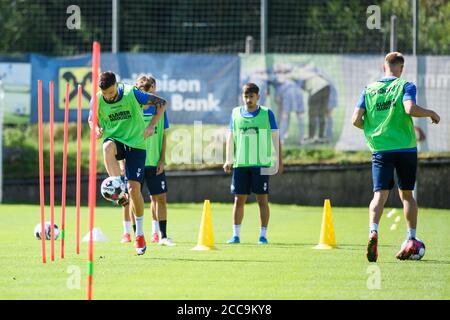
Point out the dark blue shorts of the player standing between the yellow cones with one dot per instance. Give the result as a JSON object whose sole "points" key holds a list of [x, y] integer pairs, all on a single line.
{"points": [[246, 180]]}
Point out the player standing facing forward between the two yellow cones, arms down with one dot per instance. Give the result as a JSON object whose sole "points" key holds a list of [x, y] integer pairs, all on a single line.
{"points": [[252, 130]]}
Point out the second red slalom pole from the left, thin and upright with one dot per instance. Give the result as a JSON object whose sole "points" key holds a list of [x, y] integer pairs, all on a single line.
{"points": [[52, 171]]}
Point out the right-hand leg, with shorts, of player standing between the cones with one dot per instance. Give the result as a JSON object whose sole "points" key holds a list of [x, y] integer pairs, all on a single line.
{"points": [[260, 186]]}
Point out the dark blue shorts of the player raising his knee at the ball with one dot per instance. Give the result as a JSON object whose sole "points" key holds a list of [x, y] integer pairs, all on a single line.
{"points": [[134, 160]]}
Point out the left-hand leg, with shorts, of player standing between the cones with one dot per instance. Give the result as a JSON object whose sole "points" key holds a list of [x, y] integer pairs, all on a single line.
{"points": [[240, 187]]}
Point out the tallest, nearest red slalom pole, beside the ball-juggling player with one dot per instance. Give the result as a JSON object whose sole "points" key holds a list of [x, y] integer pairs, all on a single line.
{"points": [[93, 163]]}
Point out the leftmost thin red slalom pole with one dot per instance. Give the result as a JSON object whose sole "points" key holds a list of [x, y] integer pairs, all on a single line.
{"points": [[41, 171]]}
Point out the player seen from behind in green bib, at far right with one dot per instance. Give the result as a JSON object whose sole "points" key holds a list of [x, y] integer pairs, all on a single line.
{"points": [[384, 111]]}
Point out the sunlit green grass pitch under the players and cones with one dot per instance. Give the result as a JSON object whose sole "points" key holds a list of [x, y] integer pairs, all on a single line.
{"points": [[288, 268]]}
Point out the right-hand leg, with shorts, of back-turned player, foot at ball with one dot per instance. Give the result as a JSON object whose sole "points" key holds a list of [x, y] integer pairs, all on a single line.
{"points": [[406, 167]]}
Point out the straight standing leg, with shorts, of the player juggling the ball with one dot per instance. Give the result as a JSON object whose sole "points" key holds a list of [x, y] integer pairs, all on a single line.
{"points": [[135, 165]]}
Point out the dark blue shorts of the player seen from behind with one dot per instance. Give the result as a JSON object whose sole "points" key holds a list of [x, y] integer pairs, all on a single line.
{"points": [[383, 165]]}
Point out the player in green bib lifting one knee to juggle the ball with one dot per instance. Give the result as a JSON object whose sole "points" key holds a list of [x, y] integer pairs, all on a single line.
{"points": [[122, 127]]}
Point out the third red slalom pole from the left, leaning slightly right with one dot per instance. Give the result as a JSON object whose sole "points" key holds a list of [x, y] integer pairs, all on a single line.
{"points": [[64, 177]]}
